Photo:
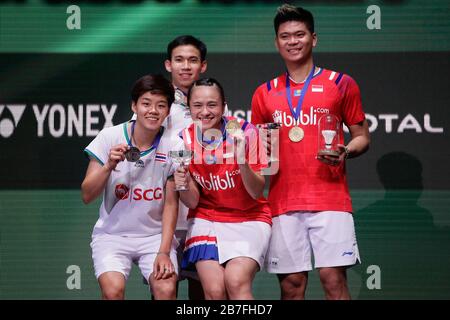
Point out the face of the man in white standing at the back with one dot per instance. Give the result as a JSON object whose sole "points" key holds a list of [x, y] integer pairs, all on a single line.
{"points": [[185, 66]]}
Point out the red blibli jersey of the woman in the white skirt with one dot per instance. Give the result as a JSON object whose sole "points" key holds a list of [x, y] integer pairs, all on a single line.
{"points": [[223, 197]]}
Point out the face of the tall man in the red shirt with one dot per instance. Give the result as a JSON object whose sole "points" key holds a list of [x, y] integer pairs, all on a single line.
{"points": [[295, 42]]}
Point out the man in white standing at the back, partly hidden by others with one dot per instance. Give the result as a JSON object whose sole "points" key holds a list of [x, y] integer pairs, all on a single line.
{"points": [[186, 60]]}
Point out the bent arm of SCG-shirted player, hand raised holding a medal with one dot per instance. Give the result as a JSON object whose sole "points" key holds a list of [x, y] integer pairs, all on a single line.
{"points": [[97, 175]]}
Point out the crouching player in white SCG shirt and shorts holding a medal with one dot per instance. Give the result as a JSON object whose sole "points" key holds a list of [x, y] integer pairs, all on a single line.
{"points": [[129, 164]]}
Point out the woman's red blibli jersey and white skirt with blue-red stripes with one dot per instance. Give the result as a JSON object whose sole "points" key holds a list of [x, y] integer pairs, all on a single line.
{"points": [[227, 222]]}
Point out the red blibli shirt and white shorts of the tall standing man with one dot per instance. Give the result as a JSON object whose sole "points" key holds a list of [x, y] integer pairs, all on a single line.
{"points": [[309, 200]]}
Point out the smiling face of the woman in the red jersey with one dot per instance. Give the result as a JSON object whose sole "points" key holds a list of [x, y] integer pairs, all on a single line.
{"points": [[206, 105]]}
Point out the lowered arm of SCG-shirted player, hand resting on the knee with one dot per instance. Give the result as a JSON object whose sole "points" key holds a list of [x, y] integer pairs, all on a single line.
{"points": [[169, 221]]}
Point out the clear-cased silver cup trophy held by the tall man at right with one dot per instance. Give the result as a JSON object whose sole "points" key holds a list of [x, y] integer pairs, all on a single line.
{"points": [[328, 137]]}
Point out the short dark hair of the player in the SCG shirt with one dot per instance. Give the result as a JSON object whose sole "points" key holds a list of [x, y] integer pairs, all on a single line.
{"points": [[156, 84]]}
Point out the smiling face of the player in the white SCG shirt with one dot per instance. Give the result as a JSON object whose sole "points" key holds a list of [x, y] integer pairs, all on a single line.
{"points": [[151, 109]]}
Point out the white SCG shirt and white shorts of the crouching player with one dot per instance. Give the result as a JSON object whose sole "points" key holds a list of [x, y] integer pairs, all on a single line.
{"points": [[129, 228]]}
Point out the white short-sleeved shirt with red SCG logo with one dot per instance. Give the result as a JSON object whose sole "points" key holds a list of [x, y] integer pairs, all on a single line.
{"points": [[133, 198]]}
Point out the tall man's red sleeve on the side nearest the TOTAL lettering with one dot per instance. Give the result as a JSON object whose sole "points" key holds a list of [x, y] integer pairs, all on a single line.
{"points": [[352, 110]]}
